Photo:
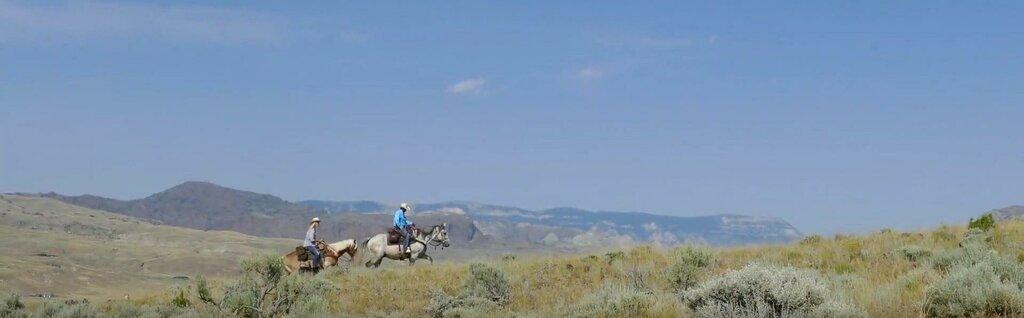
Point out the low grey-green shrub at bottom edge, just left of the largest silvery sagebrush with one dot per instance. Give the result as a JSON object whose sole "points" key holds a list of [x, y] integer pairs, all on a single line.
{"points": [[614, 301]]}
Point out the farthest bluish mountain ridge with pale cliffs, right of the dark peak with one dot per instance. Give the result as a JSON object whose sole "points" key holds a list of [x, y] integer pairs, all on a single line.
{"points": [[571, 225]]}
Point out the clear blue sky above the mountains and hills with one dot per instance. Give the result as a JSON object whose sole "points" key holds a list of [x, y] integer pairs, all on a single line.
{"points": [[837, 117]]}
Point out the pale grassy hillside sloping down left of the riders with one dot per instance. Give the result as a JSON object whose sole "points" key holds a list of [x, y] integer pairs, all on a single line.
{"points": [[50, 248]]}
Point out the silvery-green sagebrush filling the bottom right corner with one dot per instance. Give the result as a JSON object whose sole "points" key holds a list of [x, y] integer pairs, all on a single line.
{"points": [[976, 291]]}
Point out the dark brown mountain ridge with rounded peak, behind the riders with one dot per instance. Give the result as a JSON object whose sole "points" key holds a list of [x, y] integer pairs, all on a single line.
{"points": [[209, 207]]}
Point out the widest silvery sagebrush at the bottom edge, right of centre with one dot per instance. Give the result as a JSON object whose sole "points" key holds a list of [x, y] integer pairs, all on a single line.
{"points": [[766, 291]]}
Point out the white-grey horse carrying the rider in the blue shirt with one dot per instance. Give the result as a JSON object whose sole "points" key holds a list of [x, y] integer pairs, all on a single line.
{"points": [[377, 248]]}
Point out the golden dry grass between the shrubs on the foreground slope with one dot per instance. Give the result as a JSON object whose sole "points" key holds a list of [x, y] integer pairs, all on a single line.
{"points": [[869, 270]]}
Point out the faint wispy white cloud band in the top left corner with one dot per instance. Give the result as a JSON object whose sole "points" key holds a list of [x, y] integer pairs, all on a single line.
{"points": [[91, 21]]}
